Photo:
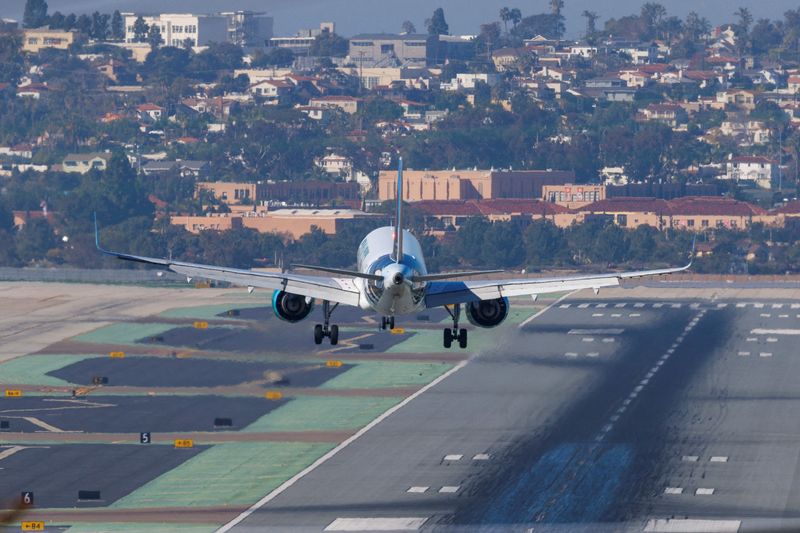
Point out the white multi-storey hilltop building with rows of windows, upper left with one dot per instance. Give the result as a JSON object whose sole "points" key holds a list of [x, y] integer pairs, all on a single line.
{"points": [[179, 29]]}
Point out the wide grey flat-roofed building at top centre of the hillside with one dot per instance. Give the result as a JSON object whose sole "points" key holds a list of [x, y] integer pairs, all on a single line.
{"points": [[388, 49]]}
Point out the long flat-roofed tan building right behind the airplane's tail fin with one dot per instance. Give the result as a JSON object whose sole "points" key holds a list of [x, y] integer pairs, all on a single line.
{"points": [[470, 184]]}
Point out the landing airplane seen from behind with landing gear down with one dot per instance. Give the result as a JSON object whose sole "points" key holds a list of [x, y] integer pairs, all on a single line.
{"points": [[391, 279]]}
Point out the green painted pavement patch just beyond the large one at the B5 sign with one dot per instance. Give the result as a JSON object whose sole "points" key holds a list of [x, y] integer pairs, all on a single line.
{"points": [[305, 413]]}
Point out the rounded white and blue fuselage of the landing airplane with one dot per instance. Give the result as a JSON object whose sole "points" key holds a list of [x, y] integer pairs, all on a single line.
{"points": [[396, 294]]}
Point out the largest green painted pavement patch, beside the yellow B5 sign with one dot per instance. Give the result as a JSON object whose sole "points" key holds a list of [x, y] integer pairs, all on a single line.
{"points": [[231, 473]]}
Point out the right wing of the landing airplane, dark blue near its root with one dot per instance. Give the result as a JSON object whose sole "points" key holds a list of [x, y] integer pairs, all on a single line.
{"points": [[457, 292]]}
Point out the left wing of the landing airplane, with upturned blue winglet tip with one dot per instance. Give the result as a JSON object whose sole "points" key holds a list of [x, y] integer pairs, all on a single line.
{"points": [[341, 290]]}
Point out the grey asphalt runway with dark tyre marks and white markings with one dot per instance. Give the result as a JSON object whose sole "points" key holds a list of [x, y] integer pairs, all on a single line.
{"points": [[598, 416]]}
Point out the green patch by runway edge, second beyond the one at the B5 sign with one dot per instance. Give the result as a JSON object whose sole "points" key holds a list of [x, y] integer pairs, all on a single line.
{"points": [[386, 374]]}
